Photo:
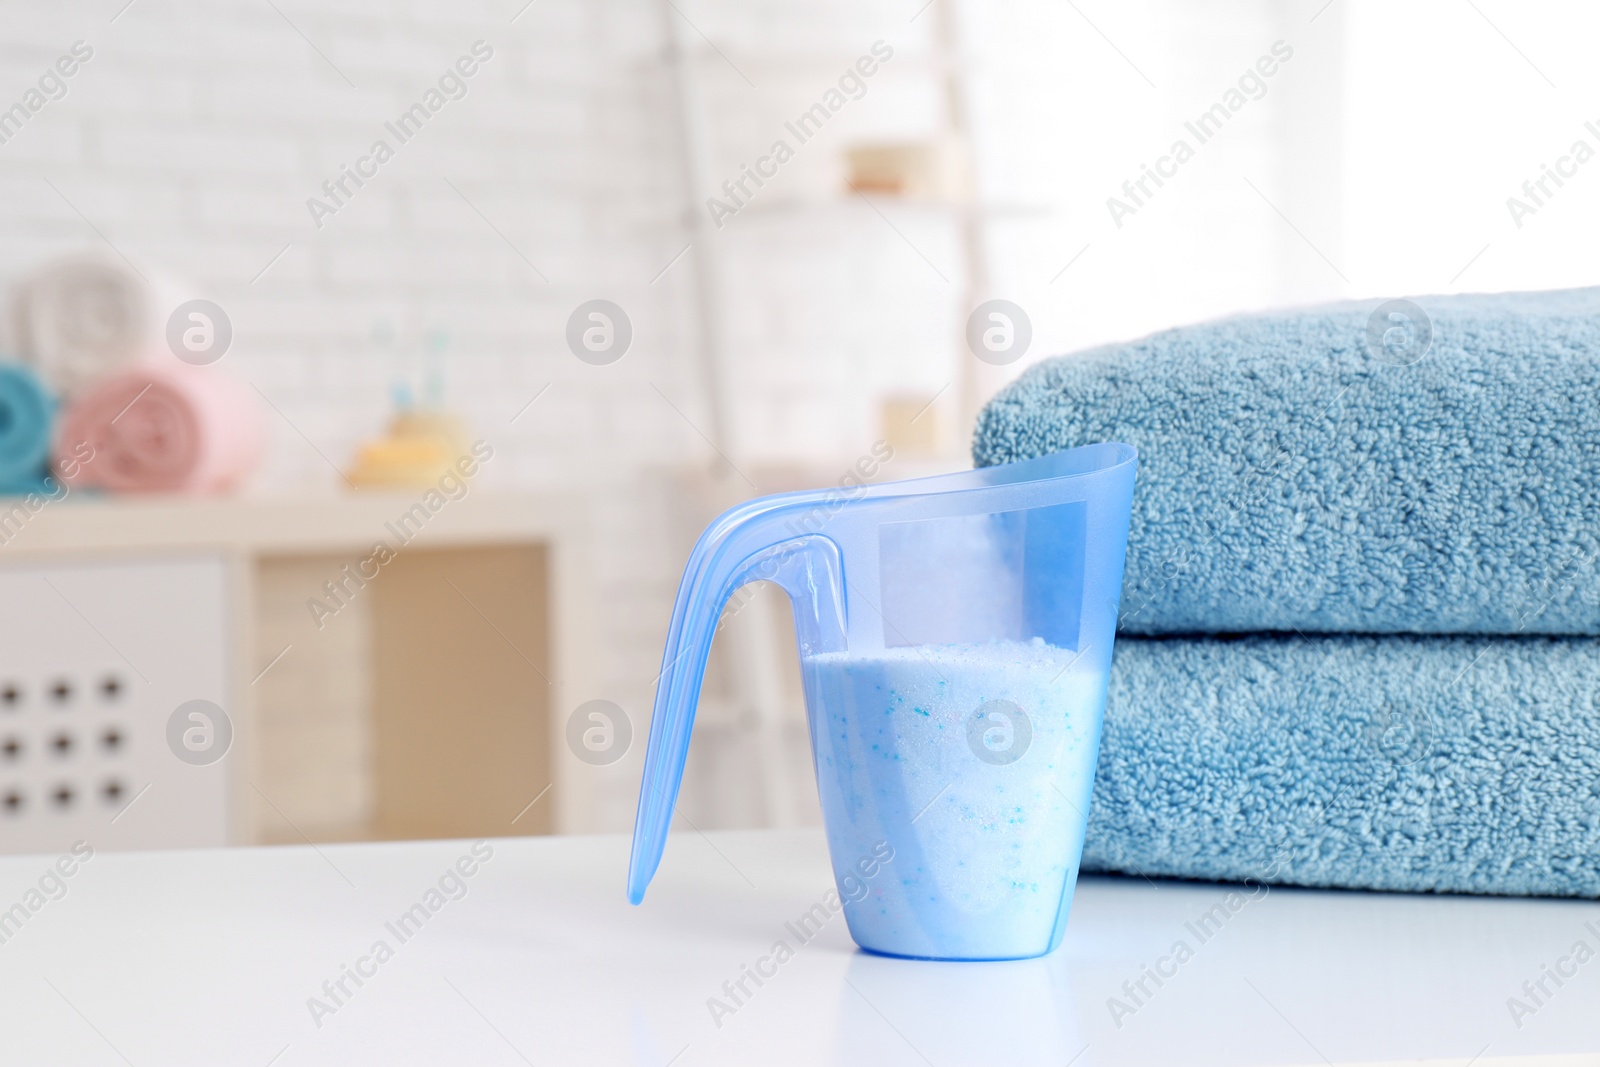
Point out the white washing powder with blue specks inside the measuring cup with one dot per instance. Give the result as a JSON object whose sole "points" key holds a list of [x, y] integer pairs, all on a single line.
{"points": [[975, 764]]}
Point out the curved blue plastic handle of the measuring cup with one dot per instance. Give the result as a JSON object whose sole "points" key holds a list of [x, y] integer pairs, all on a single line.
{"points": [[748, 543]]}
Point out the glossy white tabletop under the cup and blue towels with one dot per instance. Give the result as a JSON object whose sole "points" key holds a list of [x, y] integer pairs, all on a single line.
{"points": [[210, 957]]}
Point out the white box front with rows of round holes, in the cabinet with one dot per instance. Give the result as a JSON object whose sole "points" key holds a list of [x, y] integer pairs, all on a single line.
{"points": [[94, 663]]}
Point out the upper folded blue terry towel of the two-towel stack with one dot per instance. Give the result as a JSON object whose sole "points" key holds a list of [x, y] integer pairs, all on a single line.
{"points": [[1418, 468]]}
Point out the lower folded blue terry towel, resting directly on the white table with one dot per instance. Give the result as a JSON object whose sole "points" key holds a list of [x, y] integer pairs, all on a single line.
{"points": [[1450, 764]]}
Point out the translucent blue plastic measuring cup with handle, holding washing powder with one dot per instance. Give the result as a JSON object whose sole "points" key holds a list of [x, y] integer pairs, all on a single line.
{"points": [[956, 637]]}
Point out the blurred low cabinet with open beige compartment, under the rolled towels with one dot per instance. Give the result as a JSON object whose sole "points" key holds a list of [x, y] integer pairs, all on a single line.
{"points": [[476, 642]]}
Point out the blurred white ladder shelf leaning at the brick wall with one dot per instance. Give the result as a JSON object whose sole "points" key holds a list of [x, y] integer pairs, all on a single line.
{"points": [[766, 700]]}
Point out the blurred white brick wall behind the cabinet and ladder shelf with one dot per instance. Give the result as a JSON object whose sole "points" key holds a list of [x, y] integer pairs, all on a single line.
{"points": [[198, 132]]}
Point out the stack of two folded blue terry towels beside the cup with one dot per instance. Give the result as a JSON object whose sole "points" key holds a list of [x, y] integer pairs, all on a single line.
{"points": [[1314, 476]]}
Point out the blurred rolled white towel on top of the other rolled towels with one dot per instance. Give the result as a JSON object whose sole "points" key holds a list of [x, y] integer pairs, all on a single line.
{"points": [[86, 316]]}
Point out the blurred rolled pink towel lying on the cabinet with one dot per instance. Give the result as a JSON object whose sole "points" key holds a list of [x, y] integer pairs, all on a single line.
{"points": [[164, 428]]}
